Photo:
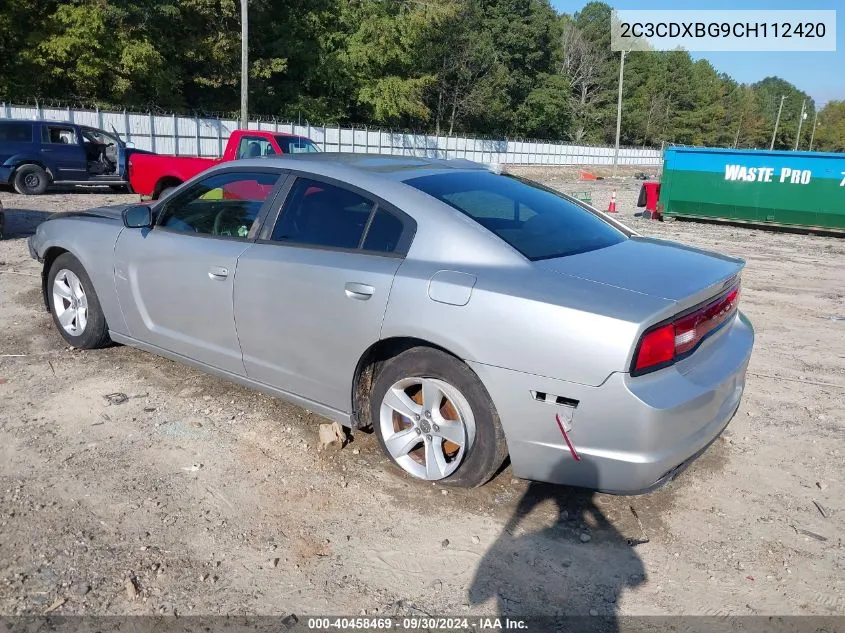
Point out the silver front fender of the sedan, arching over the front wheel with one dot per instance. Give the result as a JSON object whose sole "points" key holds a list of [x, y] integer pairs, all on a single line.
{"points": [[91, 240]]}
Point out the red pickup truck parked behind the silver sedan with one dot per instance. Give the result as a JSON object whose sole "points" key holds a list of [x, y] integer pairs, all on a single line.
{"points": [[153, 175]]}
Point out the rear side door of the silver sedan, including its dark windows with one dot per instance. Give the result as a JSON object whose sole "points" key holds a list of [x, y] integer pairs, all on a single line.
{"points": [[310, 295]]}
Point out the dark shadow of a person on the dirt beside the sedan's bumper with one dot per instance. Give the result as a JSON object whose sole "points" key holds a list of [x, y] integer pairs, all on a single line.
{"points": [[558, 555]]}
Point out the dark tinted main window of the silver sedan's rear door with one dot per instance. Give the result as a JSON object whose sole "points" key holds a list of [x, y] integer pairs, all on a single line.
{"points": [[323, 215]]}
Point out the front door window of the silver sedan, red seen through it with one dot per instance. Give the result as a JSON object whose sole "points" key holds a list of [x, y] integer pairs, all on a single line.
{"points": [[224, 204]]}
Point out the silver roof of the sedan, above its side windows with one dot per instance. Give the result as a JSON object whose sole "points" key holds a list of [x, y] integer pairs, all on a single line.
{"points": [[397, 168]]}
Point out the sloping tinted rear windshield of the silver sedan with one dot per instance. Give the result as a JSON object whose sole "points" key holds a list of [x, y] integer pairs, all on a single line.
{"points": [[536, 221]]}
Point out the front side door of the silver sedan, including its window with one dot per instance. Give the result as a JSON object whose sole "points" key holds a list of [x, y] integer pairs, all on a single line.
{"points": [[175, 281]]}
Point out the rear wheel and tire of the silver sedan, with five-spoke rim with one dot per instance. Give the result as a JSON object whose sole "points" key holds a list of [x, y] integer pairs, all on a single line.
{"points": [[435, 420]]}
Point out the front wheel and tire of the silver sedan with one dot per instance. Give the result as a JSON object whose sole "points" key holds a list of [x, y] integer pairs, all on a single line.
{"points": [[74, 304]]}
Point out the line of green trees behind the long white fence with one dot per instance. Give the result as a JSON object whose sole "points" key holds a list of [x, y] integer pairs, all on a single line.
{"points": [[484, 67]]}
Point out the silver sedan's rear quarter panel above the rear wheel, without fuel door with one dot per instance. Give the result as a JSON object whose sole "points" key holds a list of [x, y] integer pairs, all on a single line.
{"points": [[522, 319]]}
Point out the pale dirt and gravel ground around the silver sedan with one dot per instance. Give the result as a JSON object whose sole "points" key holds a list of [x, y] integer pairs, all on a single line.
{"points": [[196, 496]]}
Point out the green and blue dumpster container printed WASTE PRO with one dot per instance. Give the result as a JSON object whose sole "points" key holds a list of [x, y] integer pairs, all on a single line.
{"points": [[793, 189]]}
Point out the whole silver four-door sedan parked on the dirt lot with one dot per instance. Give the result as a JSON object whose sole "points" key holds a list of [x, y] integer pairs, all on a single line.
{"points": [[465, 316]]}
